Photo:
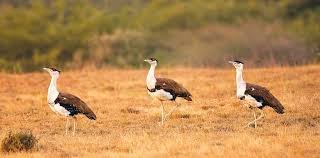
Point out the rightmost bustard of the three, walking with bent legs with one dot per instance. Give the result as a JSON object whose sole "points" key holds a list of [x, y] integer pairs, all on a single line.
{"points": [[257, 97]]}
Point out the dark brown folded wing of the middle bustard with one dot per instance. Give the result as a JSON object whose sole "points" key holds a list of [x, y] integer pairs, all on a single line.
{"points": [[173, 88]]}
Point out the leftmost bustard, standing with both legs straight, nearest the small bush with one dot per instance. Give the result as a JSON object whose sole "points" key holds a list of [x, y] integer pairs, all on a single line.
{"points": [[66, 104]]}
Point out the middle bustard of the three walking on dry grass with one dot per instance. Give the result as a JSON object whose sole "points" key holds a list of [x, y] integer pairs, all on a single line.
{"points": [[164, 89]]}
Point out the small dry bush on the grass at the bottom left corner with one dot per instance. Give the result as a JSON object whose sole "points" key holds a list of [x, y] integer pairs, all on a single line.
{"points": [[16, 142]]}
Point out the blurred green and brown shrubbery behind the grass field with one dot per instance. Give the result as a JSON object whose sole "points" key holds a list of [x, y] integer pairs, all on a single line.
{"points": [[121, 33]]}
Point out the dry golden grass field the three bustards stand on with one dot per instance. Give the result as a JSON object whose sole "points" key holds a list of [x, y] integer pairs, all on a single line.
{"points": [[213, 125]]}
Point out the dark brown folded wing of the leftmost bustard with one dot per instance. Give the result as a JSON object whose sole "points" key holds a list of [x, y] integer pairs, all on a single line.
{"points": [[74, 105]]}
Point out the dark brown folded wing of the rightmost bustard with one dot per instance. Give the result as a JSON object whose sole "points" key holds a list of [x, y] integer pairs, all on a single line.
{"points": [[261, 94]]}
